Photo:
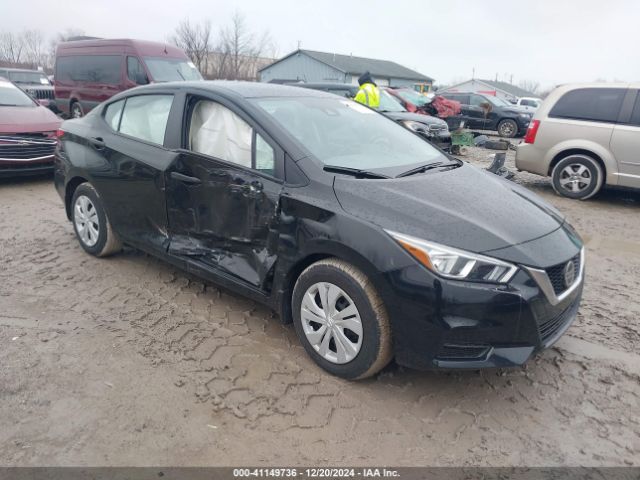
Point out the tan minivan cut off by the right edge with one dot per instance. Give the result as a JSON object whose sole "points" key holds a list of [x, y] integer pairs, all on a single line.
{"points": [[585, 136]]}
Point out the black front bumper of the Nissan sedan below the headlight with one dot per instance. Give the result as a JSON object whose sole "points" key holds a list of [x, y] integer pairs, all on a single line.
{"points": [[439, 323]]}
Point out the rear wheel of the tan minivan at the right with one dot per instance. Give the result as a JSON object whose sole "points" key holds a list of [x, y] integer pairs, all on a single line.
{"points": [[592, 174]]}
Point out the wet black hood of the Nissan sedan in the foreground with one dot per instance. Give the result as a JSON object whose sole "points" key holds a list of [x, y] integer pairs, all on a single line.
{"points": [[464, 207]]}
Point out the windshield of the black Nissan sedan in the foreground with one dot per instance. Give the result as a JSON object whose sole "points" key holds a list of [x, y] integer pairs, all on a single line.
{"points": [[341, 132]]}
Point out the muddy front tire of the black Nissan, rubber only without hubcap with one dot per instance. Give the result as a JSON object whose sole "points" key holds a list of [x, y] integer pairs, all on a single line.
{"points": [[376, 348]]}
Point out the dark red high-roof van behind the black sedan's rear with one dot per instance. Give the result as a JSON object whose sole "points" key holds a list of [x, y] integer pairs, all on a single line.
{"points": [[89, 72]]}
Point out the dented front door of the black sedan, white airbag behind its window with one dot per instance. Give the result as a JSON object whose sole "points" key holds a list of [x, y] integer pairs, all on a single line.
{"points": [[223, 193]]}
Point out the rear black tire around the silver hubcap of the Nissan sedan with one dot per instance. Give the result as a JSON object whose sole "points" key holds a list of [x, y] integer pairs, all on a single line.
{"points": [[106, 242]]}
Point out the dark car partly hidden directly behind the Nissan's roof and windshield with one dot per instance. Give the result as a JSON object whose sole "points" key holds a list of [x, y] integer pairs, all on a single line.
{"points": [[433, 129]]}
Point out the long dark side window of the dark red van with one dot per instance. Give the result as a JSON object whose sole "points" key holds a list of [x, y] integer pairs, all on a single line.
{"points": [[104, 69]]}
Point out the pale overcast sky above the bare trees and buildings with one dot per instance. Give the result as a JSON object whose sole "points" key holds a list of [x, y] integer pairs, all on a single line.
{"points": [[546, 41]]}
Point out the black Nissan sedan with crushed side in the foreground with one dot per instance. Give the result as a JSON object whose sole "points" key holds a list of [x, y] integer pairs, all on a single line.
{"points": [[371, 241]]}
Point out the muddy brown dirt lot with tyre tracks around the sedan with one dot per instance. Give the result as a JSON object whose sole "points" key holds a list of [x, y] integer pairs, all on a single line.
{"points": [[127, 361]]}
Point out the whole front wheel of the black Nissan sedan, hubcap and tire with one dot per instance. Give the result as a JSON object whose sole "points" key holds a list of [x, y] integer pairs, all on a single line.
{"points": [[341, 320]]}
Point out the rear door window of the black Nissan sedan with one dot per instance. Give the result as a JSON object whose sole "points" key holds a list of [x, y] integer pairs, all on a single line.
{"points": [[145, 117]]}
